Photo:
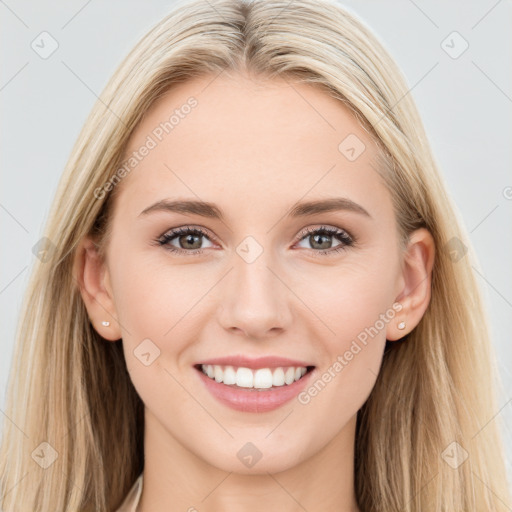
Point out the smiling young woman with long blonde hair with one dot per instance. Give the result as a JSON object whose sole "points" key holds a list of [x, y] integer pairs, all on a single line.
{"points": [[252, 296]]}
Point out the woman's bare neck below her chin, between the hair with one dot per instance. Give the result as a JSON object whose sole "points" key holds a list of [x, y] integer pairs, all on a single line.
{"points": [[175, 479]]}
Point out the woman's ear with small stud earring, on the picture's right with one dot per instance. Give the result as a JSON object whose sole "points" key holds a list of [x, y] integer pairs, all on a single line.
{"points": [[414, 283]]}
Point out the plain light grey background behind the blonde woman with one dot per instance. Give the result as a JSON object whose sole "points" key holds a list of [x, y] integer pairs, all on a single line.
{"points": [[466, 104]]}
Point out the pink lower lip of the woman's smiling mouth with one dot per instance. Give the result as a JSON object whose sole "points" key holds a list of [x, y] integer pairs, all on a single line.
{"points": [[253, 400]]}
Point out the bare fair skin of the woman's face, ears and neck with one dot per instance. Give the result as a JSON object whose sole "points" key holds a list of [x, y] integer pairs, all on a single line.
{"points": [[254, 150]]}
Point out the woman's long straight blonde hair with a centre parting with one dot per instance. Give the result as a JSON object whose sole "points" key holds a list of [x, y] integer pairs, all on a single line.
{"points": [[69, 388]]}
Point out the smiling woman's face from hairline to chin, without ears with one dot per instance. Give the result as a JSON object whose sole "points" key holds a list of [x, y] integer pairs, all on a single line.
{"points": [[263, 280]]}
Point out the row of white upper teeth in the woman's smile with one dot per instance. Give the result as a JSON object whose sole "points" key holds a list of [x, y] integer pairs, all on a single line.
{"points": [[262, 378]]}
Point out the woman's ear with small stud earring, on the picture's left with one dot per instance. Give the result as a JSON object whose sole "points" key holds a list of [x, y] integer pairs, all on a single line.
{"points": [[93, 278]]}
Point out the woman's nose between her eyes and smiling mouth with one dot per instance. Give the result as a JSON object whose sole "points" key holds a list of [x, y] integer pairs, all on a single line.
{"points": [[254, 301]]}
